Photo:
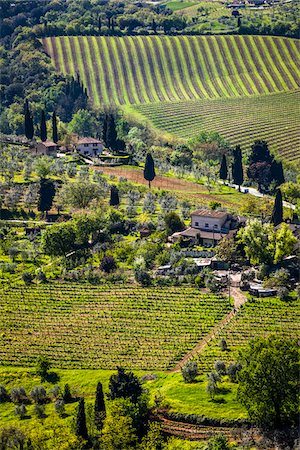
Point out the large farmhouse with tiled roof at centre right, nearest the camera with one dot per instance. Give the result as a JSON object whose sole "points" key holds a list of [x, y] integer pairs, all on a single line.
{"points": [[208, 227]]}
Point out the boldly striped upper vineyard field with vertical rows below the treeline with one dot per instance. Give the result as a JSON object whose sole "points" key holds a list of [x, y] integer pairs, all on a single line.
{"points": [[146, 69]]}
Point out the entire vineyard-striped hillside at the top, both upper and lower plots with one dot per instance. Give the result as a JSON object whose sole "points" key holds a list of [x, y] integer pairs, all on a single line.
{"points": [[188, 84]]}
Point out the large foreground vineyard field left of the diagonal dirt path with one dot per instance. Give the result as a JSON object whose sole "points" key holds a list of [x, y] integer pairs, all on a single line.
{"points": [[83, 326]]}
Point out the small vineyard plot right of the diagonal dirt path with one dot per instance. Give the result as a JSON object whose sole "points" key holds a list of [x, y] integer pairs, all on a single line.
{"points": [[256, 319]]}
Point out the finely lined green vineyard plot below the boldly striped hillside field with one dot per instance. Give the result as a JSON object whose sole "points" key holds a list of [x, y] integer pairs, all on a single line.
{"points": [[274, 118]]}
